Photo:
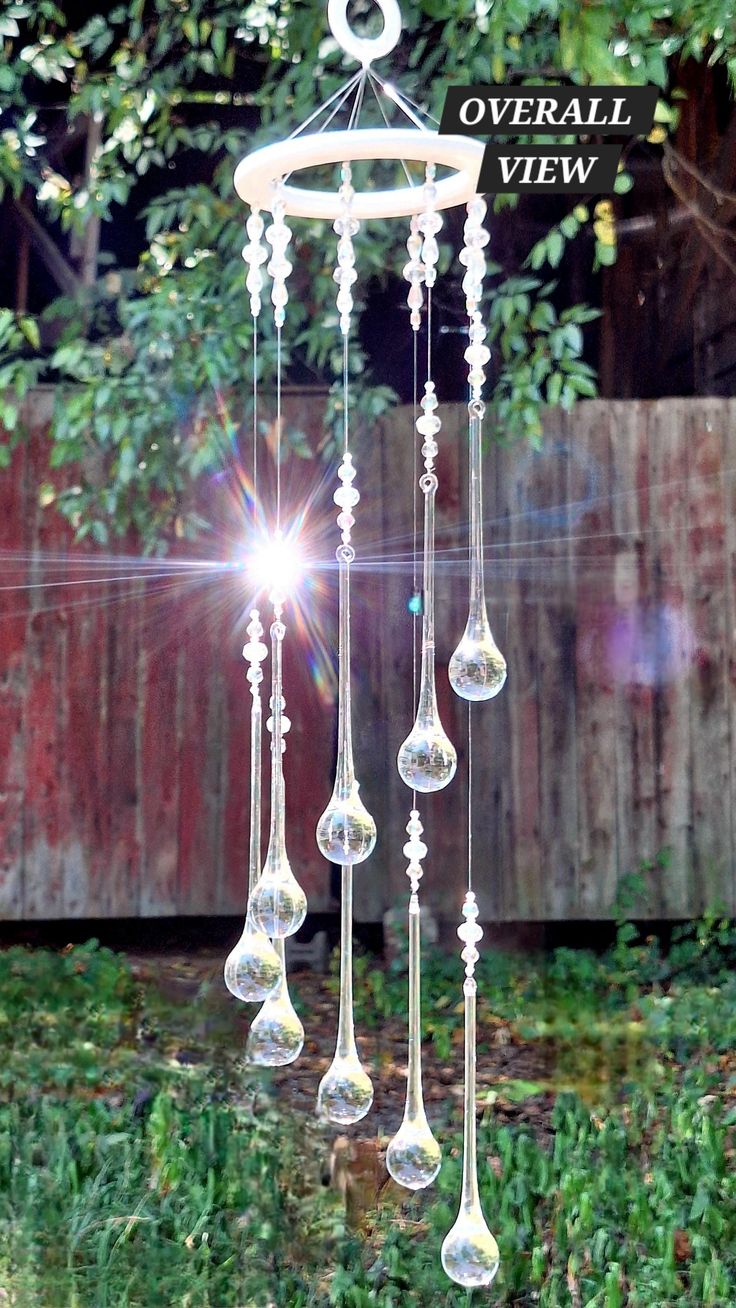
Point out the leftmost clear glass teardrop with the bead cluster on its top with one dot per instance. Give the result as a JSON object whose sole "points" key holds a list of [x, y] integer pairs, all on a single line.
{"points": [[253, 967]]}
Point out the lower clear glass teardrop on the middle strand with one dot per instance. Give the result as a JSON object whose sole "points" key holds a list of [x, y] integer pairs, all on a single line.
{"points": [[346, 1092]]}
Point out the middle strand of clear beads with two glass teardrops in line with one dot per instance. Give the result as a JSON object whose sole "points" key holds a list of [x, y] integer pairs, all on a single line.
{"points": [[346, 833]]}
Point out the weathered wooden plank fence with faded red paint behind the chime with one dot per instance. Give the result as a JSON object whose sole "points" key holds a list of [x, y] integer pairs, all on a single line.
{"points": [[612, 750]]}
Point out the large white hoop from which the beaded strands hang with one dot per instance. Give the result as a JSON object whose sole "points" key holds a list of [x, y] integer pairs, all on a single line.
{"points": [[258, 175]]}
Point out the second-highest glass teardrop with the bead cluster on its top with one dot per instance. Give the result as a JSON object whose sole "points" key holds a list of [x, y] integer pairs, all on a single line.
{"points": [[427, 761]]}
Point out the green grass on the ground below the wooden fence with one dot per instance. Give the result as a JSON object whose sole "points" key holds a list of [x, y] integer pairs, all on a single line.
{"points": [[133, 1178]]}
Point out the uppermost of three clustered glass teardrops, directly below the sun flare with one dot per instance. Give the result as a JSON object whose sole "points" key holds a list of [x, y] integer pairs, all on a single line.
{"points": [[279, 904]]}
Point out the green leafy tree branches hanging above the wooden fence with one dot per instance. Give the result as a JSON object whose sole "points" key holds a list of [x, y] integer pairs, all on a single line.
{"points": [[151, 362]]}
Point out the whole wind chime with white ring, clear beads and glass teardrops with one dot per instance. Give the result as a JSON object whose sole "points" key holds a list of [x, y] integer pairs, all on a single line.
{"points": [[346, 835]]}
